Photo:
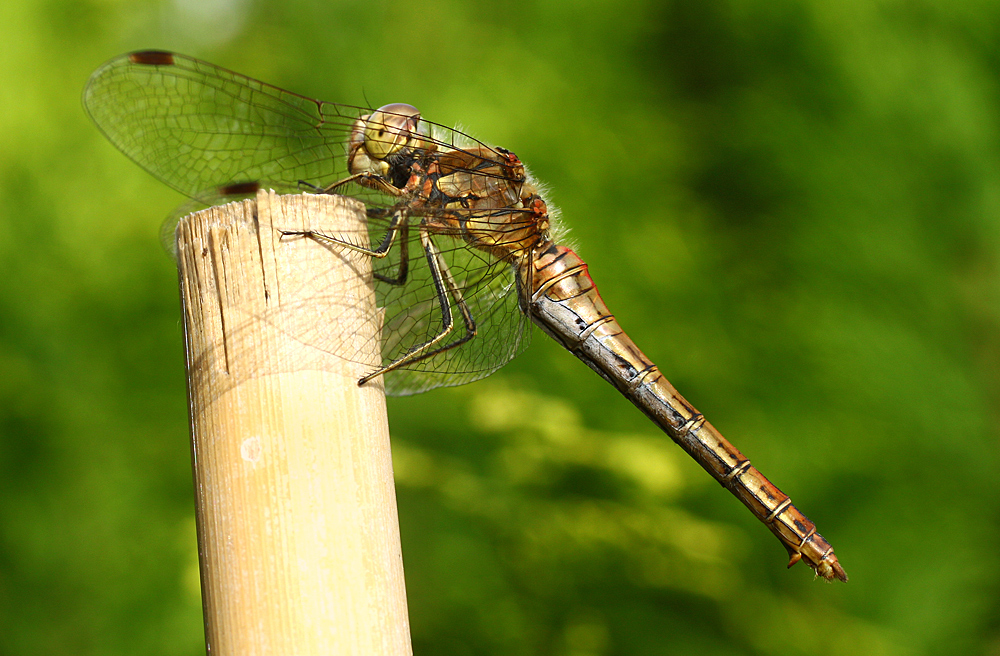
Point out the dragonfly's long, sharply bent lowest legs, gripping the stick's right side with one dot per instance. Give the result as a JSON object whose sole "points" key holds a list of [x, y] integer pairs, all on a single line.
{"points": [[446, 287]]}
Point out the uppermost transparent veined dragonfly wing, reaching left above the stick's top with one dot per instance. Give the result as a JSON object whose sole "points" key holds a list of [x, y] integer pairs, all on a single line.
{"points": [[197, 127]]}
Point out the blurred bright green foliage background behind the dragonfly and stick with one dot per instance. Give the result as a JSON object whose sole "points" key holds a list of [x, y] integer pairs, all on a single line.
{"points": [[792, 206]]}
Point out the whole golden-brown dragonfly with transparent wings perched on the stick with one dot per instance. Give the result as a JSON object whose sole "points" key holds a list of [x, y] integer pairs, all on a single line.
{"points": [[465, 249]]}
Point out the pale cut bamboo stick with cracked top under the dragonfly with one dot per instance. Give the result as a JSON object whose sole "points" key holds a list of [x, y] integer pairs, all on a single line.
{"points": [[297, 528]]}
